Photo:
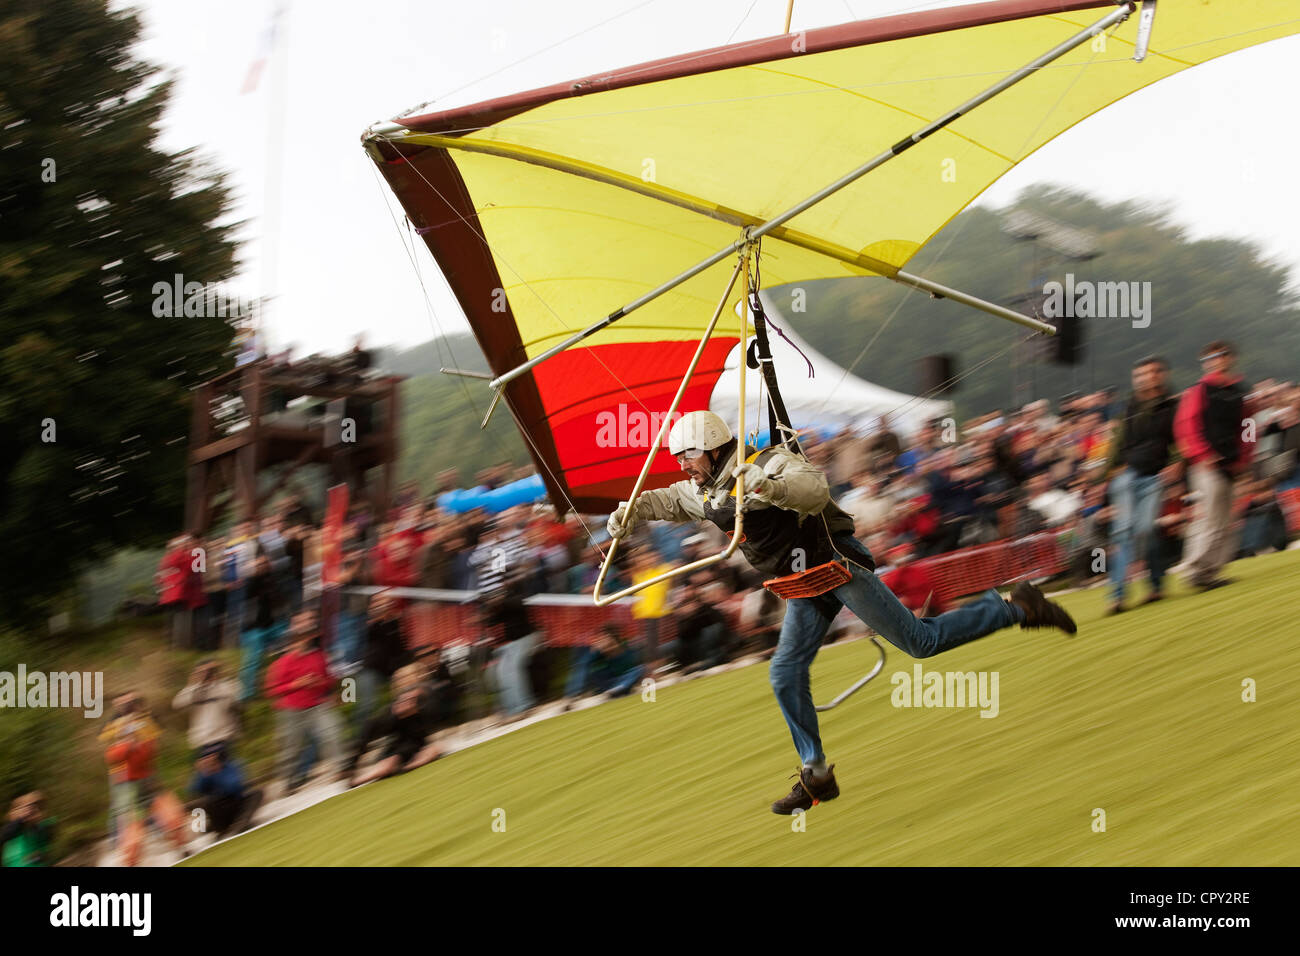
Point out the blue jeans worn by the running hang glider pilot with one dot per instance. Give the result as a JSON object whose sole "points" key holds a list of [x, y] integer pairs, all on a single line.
{"points": [[809, 618]]}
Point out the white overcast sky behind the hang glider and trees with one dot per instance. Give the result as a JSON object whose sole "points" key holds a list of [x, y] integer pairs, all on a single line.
{"points": [[1219, 141]]}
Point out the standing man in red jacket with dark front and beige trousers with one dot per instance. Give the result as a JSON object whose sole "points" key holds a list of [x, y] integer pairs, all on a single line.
{"points": [[1211, 432]]}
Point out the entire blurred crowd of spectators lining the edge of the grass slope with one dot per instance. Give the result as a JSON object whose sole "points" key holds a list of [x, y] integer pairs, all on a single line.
{"points": [[1095, 470]]}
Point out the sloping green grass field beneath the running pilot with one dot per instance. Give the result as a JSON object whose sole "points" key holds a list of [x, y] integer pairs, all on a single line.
{"points": [[1141, 716]]}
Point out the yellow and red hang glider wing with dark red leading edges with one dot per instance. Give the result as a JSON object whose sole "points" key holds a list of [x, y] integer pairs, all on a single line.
{"points": [[588, 228]]}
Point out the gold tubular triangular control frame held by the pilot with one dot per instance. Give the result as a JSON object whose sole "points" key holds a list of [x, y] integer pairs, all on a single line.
{"points": [[629, 517]]}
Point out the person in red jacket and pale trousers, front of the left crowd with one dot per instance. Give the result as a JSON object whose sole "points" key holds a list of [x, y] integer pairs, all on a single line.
{"points": [[302, 693]]}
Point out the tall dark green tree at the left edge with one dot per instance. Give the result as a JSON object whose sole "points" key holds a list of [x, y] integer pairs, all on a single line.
{"points": [[96, 222]]}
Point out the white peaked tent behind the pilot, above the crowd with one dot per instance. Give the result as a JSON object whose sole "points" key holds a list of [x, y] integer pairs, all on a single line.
{"points": [[833, 397]]}
